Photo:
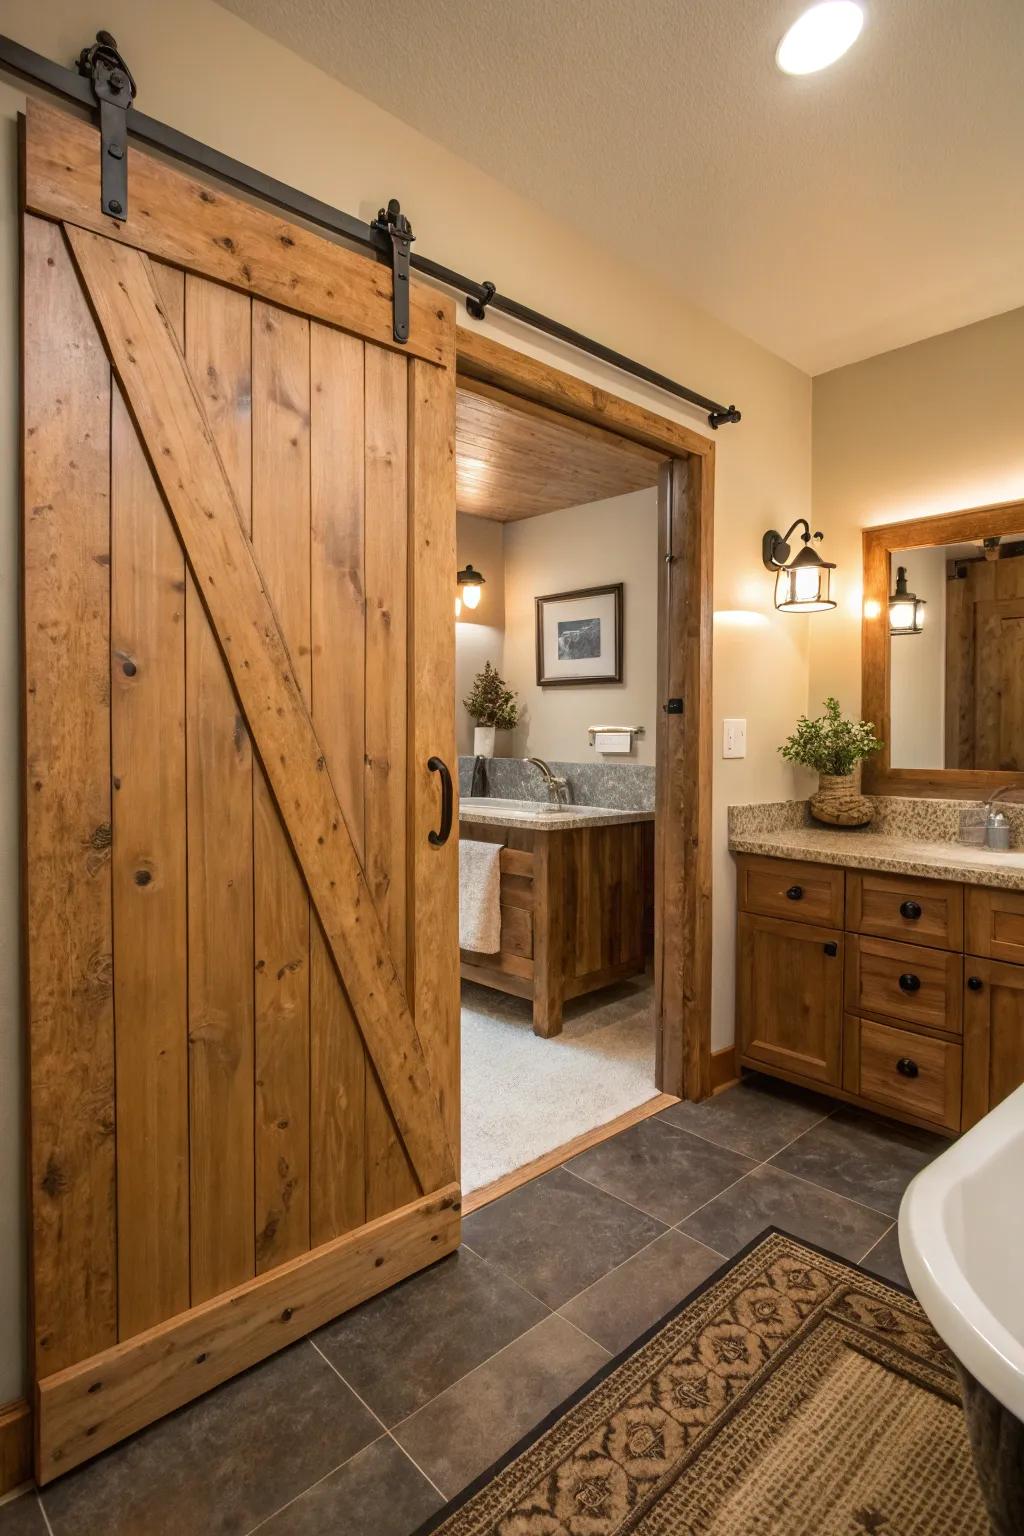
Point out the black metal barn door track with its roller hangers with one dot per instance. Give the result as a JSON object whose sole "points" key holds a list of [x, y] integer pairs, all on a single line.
{"points": [[105, 81]]}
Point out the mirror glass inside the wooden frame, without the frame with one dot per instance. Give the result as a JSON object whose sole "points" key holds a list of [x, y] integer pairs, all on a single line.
{"points": [[957, 657]]}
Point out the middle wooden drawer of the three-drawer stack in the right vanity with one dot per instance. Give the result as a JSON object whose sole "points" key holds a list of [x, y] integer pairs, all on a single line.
{"points": [[905, 982]]}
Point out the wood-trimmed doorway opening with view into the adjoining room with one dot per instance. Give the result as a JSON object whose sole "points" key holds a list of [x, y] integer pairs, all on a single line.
{"points": [[580, 617]]}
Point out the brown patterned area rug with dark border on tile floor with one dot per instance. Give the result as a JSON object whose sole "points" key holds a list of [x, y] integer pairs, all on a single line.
{"points": [[796, 1395]]}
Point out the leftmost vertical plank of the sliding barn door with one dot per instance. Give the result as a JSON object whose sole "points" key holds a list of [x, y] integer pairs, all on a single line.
{"points": [[67, 546]]}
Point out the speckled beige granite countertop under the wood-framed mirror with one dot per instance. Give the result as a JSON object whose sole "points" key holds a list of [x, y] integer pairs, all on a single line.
{"points": [[867, 850]]}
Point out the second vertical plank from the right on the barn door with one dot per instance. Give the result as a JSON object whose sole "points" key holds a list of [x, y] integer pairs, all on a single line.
{"points": [[391, 1180]]}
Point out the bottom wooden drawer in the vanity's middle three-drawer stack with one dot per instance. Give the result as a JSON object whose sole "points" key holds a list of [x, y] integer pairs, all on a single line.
{"points": [[900, 1070]]}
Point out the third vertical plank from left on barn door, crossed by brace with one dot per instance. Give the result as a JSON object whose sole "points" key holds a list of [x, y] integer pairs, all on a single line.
{"points": [[220, 846]]}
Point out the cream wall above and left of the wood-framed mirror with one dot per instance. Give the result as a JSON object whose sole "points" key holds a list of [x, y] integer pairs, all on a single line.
{"points": [[928, 429]]}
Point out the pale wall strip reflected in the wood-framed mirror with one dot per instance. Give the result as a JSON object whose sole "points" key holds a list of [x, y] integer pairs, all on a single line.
{"points": [[919, 669]]}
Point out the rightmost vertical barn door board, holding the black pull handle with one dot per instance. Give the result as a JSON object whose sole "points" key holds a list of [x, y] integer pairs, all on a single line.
{"points": [[434, 984]]}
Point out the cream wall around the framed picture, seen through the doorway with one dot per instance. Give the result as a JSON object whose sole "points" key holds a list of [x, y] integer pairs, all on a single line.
{"points": [[592, 546]]}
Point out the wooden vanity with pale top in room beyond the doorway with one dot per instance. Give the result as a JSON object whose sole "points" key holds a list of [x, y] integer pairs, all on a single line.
{"points": [[576, 895]]}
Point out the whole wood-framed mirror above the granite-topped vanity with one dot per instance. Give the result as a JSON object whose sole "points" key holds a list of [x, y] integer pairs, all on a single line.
{"points": [[946, 694]]}
